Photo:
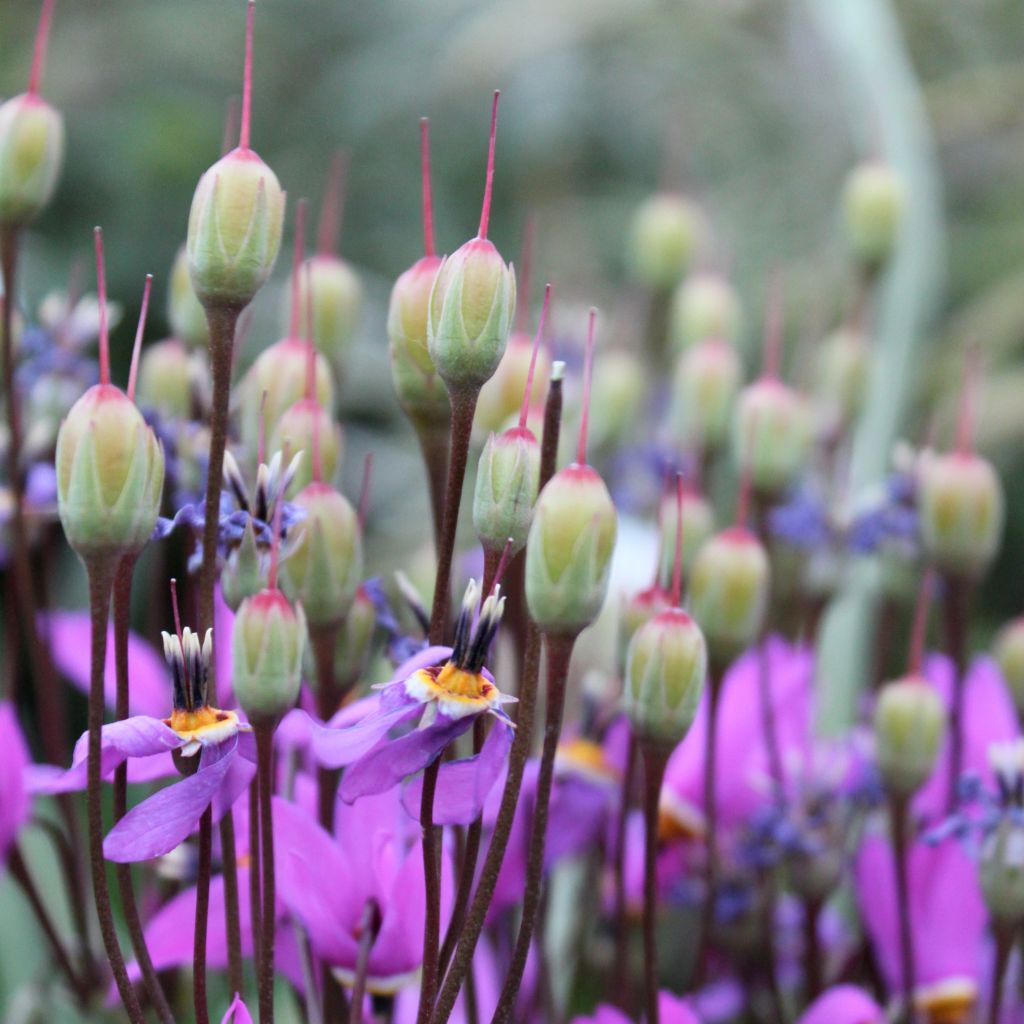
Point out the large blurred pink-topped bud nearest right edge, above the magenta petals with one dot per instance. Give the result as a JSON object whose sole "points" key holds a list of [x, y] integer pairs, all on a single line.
{"points": [[962, 513]]}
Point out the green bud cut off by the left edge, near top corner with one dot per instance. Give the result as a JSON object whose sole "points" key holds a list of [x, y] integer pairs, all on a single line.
{"points": [[32, 142]]}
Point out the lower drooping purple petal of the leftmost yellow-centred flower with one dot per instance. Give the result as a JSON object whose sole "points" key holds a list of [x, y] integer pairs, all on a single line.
{"points": [[159, 825]]}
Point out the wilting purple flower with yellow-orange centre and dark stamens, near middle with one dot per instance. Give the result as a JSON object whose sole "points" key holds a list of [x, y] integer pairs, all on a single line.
{"points": [[444, 701]]}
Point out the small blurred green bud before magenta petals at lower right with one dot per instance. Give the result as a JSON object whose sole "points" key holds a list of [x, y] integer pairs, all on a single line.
{"points": [[910, 726]]}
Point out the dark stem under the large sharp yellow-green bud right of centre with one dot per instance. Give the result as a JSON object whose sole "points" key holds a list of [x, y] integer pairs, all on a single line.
{"points": [[559, 651]]}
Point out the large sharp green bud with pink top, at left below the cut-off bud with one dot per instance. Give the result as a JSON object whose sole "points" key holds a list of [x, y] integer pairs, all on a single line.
{"points": [[110, 475]]}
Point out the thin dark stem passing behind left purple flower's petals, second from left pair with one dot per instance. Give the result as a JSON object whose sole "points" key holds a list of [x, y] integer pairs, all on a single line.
{"points": [[122, 873]]}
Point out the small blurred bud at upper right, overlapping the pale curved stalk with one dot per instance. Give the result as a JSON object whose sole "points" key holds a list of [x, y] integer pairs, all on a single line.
{"points": [[873, 209]]}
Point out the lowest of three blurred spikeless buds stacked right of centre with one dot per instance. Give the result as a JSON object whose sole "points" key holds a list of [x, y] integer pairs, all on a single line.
{"points": [[704, 393]]}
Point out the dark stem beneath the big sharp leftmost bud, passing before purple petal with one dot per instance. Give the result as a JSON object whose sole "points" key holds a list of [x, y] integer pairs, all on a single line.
{"points": [[101, 585]]}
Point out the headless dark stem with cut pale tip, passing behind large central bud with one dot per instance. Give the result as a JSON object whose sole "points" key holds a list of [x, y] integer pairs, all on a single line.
{"points": [[522, 746]]}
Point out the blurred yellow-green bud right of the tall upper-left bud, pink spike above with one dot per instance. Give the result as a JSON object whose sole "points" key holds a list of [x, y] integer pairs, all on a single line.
{"points": [[337, 303]]}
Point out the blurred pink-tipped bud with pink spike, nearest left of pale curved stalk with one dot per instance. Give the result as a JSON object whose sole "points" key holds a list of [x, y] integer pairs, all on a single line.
{"points": [[772, 437]]}
